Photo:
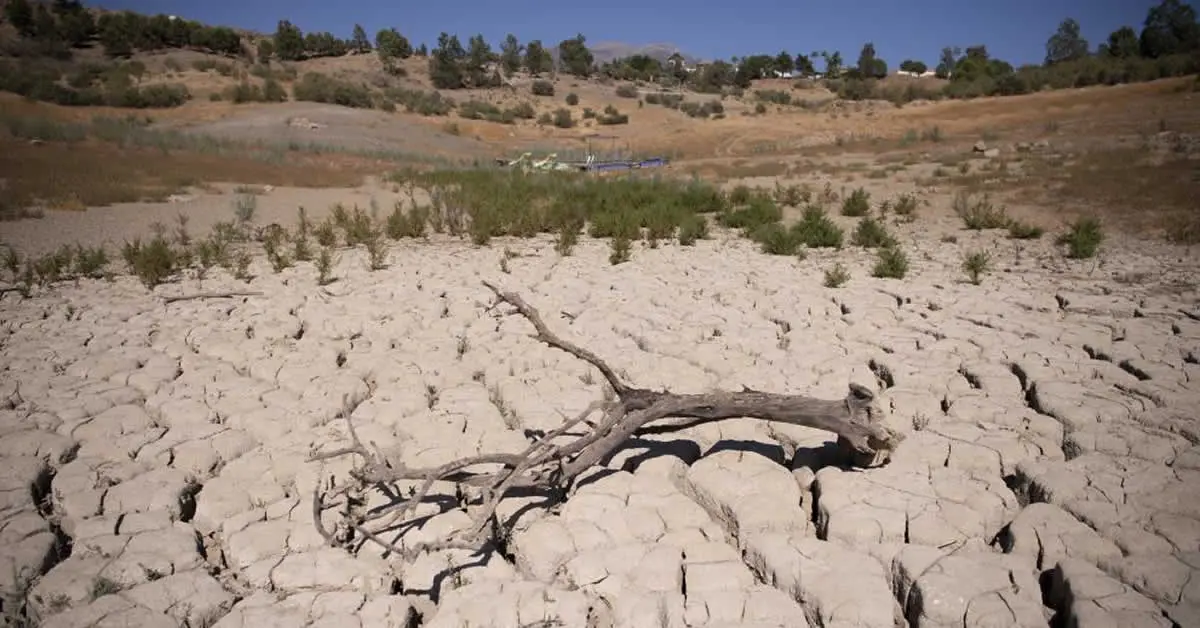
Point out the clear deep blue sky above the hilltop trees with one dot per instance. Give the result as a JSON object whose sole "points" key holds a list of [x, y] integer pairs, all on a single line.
{"points": [[1016, 31]]}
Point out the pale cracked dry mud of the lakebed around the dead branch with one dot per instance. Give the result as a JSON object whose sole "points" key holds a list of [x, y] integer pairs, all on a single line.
{"points": [[158, 476]]}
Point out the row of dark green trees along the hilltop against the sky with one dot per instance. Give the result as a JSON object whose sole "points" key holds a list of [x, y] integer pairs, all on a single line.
{"points": [[1168, 45]]}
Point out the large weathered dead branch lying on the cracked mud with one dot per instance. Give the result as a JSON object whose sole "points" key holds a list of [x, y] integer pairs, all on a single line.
{"points": [[553, 463]]}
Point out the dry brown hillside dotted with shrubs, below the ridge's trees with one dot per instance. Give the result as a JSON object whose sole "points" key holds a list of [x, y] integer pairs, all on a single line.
{"points": [[1125, 155]]}
